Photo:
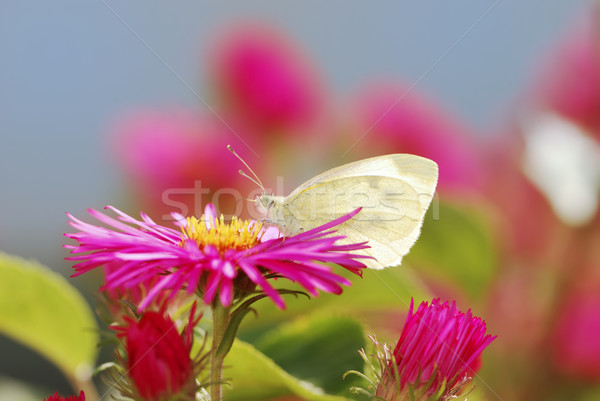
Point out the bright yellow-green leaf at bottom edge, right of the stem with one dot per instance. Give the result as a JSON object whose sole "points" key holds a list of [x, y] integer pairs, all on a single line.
{"points": [[255, 377]]}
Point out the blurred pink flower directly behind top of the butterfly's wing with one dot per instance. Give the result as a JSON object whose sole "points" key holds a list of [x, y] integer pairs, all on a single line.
{"points": [[392, 119]]}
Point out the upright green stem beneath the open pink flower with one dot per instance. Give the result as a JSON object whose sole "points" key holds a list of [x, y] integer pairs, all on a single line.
{"points": [[220, 322]]}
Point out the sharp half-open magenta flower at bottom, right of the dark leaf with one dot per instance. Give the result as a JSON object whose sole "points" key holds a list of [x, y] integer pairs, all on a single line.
{"points": [[438, 352]]}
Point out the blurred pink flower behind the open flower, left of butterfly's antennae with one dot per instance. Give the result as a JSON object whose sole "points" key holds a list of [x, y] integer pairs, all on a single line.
{"points": [[179, 159]]}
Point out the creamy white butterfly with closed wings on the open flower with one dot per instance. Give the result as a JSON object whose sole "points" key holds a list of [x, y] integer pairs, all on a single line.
{"points": [[394, 192]]}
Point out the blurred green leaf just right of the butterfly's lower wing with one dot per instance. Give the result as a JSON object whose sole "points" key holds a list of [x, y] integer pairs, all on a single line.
{"points": [[457, 247]]}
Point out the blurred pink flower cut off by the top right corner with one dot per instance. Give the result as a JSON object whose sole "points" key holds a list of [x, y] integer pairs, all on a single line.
{"points": [[570, 77]]}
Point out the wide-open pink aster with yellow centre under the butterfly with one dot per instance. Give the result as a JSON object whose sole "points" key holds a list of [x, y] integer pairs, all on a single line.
{"points": [[219, 260]]}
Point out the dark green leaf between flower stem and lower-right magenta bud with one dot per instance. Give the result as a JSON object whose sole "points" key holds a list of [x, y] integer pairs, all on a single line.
{"points": [[318, 349]]}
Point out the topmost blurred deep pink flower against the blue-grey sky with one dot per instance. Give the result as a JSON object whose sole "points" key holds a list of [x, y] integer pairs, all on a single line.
{"points": [[262, 77]]}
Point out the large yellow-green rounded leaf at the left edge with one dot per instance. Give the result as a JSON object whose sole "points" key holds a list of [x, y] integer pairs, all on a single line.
{"points": [[40, 309]]}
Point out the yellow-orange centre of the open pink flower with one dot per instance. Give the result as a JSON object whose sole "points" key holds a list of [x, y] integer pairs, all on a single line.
{"points": [[237, 234]]}
